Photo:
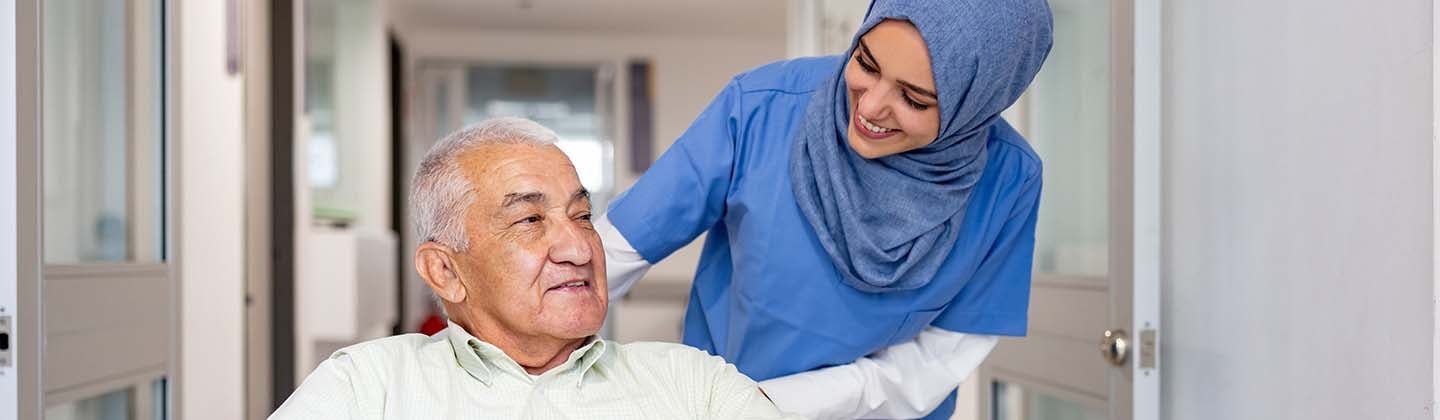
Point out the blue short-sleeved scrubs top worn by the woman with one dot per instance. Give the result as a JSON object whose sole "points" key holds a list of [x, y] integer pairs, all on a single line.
{"points": [[767, 297]]}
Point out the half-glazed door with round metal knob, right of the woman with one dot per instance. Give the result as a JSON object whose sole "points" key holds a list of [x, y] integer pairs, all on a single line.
{"points": [[1094, 319]]}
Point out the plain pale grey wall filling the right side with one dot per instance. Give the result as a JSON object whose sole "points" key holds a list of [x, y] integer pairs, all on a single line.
{"points": [[1298, 193]]}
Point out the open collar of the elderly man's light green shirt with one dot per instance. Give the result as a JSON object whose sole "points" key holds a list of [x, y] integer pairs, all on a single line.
{"points": [[482, 360]]}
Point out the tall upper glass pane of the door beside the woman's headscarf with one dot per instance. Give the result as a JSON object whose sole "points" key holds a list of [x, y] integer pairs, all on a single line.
{"points": [[1066, 117]]}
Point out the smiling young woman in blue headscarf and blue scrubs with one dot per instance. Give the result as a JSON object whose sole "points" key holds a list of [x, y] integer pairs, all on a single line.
{"points": [[870, 216]]}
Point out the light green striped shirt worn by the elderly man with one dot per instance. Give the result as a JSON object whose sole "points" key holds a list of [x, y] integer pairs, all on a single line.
{"points": [[456, 376]]}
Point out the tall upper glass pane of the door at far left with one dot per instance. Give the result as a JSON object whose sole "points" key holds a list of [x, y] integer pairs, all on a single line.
{"points": [[102, 133]]}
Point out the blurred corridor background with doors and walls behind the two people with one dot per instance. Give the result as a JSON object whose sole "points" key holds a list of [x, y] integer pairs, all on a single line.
{"points": [[208, 198]]}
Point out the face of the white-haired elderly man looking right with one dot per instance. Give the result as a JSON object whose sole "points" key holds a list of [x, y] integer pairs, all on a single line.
{"points": [[535, 267]]}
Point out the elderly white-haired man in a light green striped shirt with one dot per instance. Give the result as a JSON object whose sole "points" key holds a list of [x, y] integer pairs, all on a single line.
{"points": [[513, 257]]}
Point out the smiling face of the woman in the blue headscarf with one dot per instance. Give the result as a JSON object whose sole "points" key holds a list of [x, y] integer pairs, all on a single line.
{"points": [[892, 93]]}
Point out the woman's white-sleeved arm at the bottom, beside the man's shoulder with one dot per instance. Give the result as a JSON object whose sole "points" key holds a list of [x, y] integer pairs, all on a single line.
{"points": [[906, 380]]}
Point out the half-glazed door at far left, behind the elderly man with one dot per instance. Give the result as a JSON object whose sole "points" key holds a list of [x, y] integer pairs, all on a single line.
{"points": [[94, 241]]}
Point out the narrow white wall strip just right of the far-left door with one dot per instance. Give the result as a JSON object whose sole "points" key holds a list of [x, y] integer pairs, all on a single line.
{"points": [[212, 238]]}
